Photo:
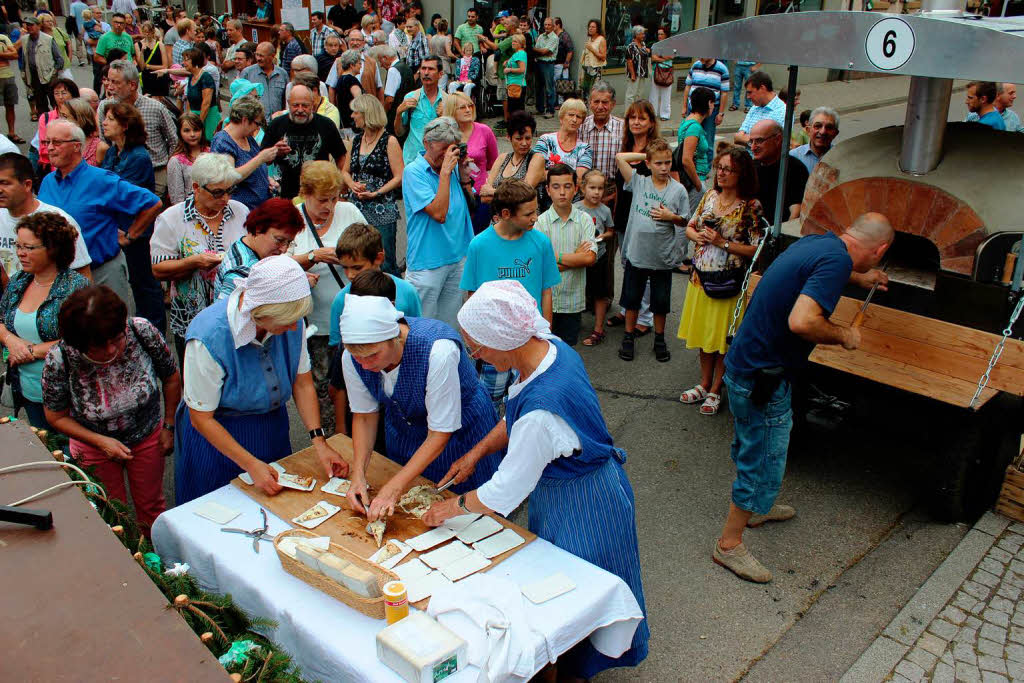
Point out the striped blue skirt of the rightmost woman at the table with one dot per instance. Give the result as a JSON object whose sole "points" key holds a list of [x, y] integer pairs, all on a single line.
{"points": [[593, 518]]}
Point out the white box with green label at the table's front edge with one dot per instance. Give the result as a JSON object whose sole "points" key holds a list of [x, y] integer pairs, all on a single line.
{"points": [[421, 651]]}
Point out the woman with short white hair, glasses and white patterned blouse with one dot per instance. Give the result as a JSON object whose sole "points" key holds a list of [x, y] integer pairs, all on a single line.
{"points": [[190, 240]]}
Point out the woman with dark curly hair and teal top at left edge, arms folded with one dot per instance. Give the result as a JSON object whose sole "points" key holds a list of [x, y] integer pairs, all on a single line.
{"points": [[31, 305]]}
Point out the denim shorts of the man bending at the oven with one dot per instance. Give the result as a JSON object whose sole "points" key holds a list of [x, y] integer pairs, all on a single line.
{"points": [[760, 443]]}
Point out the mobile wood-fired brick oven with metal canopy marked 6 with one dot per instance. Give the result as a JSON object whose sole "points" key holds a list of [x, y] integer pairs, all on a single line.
{"points": [[952, 192]]}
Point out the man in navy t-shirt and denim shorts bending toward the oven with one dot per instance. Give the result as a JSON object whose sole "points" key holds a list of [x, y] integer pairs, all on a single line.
{"points": [[788, 316]]}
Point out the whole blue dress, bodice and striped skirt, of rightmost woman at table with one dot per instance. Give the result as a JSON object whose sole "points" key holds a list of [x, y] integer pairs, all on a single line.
{"points": [[584, 503]]}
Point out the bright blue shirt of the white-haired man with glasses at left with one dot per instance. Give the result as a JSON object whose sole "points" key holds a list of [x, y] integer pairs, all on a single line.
{"points": [[101, 202]]}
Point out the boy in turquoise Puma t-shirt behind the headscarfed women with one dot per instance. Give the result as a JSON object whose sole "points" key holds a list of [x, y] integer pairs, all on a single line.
{"points": [[511, 249]]}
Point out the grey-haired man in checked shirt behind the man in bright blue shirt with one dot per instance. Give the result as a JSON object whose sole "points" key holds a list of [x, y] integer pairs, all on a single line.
{"points": [[161, 133]]}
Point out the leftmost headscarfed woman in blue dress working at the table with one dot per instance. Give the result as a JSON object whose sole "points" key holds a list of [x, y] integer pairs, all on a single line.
{"points": [[245, 357]]}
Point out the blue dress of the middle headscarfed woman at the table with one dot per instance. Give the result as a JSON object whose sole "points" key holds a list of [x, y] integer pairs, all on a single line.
{"points": [[405, 412]]}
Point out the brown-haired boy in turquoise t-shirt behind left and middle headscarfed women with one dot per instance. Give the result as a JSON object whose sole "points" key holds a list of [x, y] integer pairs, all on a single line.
{"points": [[361, 251]]}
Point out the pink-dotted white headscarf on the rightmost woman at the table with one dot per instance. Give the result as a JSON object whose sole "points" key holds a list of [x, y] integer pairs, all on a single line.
{"points": [[503, 316]]}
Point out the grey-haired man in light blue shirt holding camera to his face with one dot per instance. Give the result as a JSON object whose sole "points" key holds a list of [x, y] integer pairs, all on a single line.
{"points": [[435, 188]]}
